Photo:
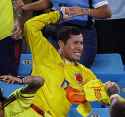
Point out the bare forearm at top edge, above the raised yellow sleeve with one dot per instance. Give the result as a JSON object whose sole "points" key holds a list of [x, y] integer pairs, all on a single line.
{"points": [[38, 5]]}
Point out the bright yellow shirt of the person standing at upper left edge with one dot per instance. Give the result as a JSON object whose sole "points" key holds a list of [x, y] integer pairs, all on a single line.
{"points": [[6, 18]]}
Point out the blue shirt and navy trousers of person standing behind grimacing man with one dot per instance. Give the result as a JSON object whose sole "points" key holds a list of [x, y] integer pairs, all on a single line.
{"points": [[90, 41]]}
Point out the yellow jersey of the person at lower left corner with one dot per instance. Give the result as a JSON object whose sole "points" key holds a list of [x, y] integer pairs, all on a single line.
{"points": [[21, 106]]}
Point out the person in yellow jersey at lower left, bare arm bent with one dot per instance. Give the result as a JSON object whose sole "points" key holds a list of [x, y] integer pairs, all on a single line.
{"points": [[19, 104]]}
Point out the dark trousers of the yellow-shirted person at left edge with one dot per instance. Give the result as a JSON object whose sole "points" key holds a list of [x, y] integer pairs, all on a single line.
{"points": [[7, 57]]}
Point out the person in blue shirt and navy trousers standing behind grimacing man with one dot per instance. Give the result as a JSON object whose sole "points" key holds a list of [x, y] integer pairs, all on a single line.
{"points": [[90, 9]]}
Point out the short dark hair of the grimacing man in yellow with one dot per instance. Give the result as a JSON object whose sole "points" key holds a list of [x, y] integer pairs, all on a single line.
{"points": [[65, 32]]}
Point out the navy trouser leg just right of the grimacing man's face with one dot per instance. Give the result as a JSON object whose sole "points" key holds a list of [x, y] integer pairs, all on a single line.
{"points": [[90, 47]]}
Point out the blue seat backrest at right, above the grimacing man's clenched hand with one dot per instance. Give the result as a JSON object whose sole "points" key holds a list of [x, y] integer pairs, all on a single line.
{"points": [[108, 63]]}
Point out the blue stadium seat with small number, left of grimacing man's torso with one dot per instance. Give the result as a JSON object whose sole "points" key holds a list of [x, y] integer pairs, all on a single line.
{"points": [[25, 65]]}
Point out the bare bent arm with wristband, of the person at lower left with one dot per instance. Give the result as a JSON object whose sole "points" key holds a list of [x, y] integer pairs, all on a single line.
{"points": [[33, 82]]}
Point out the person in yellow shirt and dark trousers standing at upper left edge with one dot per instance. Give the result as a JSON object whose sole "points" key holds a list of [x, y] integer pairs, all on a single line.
{"points": [[8, 32]]}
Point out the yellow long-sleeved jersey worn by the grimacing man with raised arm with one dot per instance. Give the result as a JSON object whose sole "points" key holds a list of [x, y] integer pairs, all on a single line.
{"points": [[48, 64]]}
